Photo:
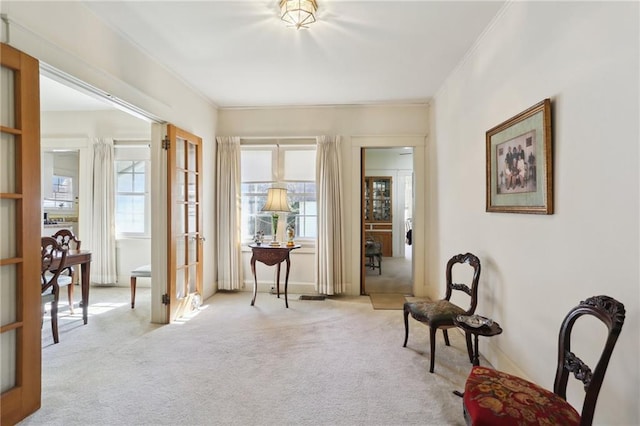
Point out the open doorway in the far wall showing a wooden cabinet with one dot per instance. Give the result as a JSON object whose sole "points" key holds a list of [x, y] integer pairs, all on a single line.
{"points": [[387, 218]]}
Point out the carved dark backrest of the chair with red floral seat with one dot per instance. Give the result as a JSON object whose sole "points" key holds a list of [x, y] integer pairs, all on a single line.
{"points": [[612, 314]]}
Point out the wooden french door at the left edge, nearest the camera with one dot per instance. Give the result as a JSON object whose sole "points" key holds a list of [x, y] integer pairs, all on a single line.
{"points": [[20, 223]]}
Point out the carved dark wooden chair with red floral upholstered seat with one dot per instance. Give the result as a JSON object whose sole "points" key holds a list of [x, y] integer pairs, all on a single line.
{"points": [[495, 398]]}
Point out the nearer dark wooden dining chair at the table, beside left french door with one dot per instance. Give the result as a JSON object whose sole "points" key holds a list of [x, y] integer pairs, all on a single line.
{"points": [[53, 255]]}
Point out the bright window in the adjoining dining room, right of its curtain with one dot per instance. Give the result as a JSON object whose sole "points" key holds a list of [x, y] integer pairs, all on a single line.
{"points": [[132, 201]]}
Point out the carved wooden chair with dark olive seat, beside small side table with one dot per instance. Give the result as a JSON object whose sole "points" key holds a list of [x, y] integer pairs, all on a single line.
{"points": [[440, 314]]}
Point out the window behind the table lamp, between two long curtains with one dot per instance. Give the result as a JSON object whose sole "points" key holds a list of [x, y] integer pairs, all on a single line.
{"points": [[288, 166]]}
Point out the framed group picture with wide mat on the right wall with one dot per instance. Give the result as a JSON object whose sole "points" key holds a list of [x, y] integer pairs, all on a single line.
{"points": [[519, 163]]}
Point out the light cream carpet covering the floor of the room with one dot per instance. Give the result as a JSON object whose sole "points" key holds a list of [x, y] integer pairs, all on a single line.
{"points": [[335, 362]]}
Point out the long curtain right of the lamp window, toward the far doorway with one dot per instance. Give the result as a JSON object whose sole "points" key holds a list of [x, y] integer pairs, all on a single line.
{"points": [[330, 246]]}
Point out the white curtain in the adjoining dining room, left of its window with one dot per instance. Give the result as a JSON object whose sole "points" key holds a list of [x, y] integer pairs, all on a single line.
{"points": [[103, 259]]}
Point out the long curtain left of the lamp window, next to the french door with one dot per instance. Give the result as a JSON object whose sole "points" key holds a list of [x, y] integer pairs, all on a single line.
{"points": [[228, 212]]}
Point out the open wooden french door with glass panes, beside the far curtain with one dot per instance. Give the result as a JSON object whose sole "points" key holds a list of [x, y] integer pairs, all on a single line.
{"points": [[184, 173]]}
